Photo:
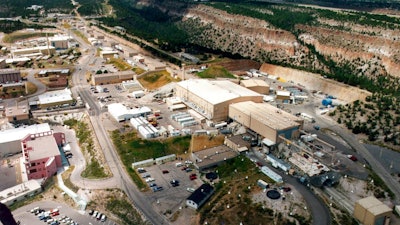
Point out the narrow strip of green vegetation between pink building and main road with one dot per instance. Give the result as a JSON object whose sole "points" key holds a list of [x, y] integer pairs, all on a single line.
{"points": [[93, 168]]}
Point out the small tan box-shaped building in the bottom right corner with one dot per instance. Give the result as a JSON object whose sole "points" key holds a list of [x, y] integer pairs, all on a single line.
{"points": [[371, 211]]}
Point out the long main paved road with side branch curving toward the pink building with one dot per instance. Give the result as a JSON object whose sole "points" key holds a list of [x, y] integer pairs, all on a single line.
{"points": [[120, 177]]}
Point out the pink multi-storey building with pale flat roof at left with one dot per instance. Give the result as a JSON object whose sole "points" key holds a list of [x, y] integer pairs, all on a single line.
{"points": [[41, 154]]}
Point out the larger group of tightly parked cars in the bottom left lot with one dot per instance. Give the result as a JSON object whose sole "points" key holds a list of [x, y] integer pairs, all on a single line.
{"points": [[52, 217]]}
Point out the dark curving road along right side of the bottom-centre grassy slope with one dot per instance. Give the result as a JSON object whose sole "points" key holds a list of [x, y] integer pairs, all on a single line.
{"points": [[319, 211]]}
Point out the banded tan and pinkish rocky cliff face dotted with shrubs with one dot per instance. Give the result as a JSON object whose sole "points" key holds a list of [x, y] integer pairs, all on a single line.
{"points": [[367, 50]]}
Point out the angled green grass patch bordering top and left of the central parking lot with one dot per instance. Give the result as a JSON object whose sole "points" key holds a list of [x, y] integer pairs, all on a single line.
{"points": [[133, 149]]}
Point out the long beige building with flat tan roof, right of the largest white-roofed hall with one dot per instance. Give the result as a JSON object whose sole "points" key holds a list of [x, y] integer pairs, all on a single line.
{"points": [[267, 120]]}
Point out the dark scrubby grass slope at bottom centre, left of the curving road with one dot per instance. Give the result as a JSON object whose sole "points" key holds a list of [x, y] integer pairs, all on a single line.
{"points": [[233, 183]]}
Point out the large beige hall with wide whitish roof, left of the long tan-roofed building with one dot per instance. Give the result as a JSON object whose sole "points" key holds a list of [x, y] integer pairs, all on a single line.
{"points": [[211, 98]]}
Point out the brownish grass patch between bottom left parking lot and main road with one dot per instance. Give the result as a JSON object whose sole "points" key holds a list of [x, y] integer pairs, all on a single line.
{"points": [[119, 206]]}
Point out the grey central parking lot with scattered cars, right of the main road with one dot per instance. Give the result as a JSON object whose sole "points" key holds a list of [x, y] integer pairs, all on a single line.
{"points": [[170, 197]]}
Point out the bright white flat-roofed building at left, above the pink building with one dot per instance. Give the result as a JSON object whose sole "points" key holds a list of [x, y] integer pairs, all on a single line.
{"points": [[52, 98]]}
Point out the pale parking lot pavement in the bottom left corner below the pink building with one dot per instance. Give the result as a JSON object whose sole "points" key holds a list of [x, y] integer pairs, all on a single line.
{"points": [[25, 217]]}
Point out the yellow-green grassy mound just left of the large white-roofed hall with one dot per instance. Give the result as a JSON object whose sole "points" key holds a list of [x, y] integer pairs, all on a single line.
{"points": [[154, 80]]}
